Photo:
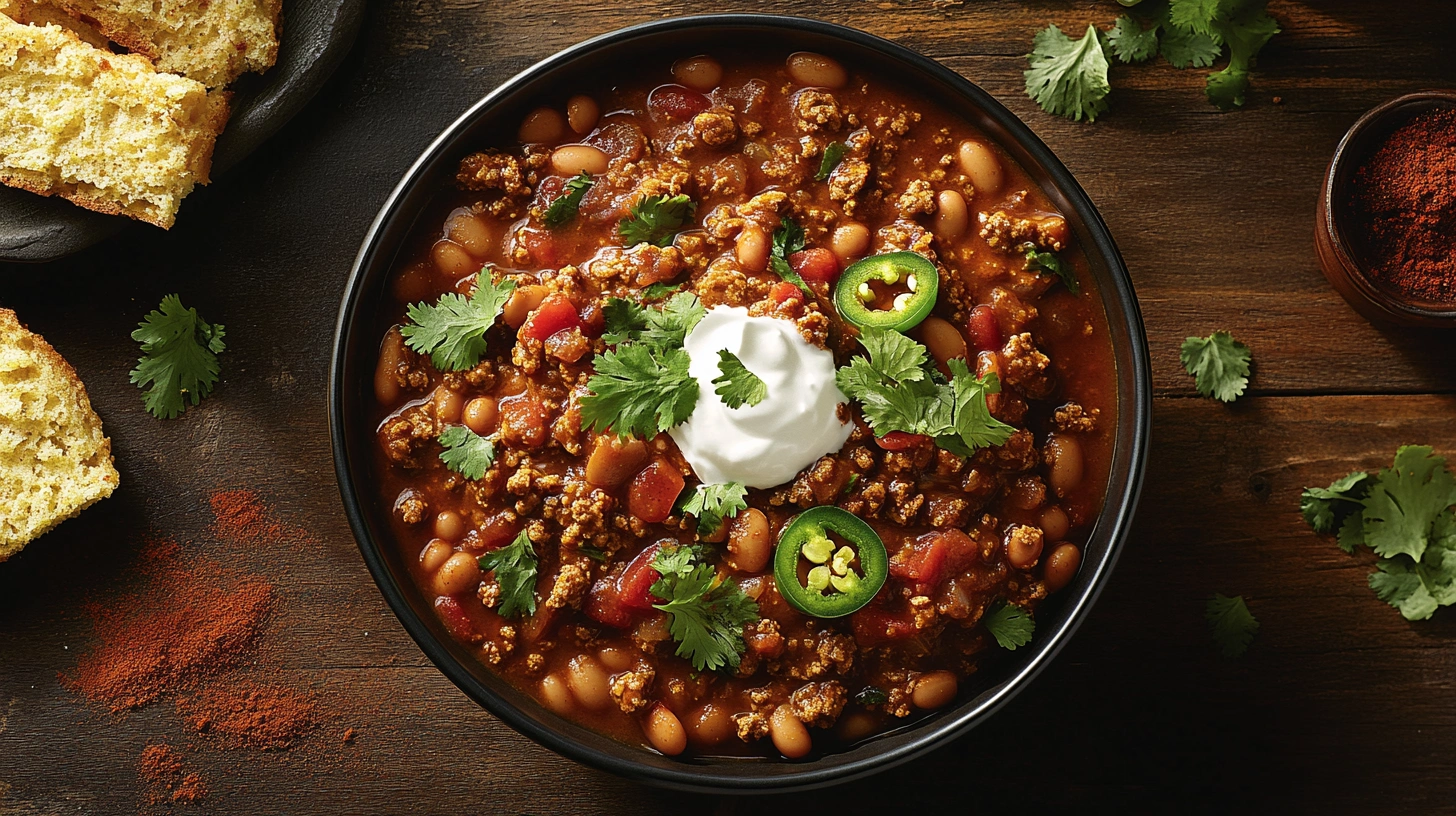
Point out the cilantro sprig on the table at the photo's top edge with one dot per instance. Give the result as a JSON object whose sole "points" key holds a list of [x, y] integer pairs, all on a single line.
{"points": [[1069, 78]]}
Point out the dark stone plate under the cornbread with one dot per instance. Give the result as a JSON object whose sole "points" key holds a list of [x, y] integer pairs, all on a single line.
{"points": [[317, 36]]}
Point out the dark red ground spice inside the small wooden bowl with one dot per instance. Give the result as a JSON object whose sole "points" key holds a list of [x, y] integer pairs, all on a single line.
{"points": [[1406, 200]]}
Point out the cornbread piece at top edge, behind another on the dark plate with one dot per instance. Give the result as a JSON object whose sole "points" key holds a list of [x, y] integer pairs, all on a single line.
{"points": [[213, 42]]}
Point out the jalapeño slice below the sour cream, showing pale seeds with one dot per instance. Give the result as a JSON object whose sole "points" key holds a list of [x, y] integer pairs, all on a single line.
{"points": [[842, 578]]}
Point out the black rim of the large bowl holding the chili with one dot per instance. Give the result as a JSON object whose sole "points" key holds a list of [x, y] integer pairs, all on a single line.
{"points": [[1117, 511]]}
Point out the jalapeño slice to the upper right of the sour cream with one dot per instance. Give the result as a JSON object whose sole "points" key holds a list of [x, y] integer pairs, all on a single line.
{"points": [[895, 291]]}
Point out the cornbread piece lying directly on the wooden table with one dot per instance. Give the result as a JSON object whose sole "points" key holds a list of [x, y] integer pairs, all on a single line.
{"points": [[55, 457]]}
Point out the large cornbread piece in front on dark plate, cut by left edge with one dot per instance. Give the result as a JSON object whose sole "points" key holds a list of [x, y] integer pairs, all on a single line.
{"points": [[104, 130]]}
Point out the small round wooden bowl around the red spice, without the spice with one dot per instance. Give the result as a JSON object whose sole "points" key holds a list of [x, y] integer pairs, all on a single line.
{"points": [[1339, 254]]}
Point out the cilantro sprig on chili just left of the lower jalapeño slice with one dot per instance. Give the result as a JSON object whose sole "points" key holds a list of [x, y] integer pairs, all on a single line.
{"points": [[705, 614]]}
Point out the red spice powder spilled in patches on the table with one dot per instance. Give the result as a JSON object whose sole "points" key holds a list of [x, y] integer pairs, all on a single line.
{"points": [[187, 627]]}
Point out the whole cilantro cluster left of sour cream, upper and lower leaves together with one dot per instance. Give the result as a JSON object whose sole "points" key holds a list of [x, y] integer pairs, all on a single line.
{"points": [[643, 387]]}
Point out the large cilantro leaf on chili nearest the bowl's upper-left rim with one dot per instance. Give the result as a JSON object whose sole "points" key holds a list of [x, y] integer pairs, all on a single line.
{"points": [[454, 330]]}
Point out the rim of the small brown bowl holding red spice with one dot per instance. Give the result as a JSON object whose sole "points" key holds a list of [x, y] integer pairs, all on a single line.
{"points": [[1339, 243]]}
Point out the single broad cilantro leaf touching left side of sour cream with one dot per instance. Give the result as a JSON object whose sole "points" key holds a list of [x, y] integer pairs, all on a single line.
{"points": [[640, 391]]}
